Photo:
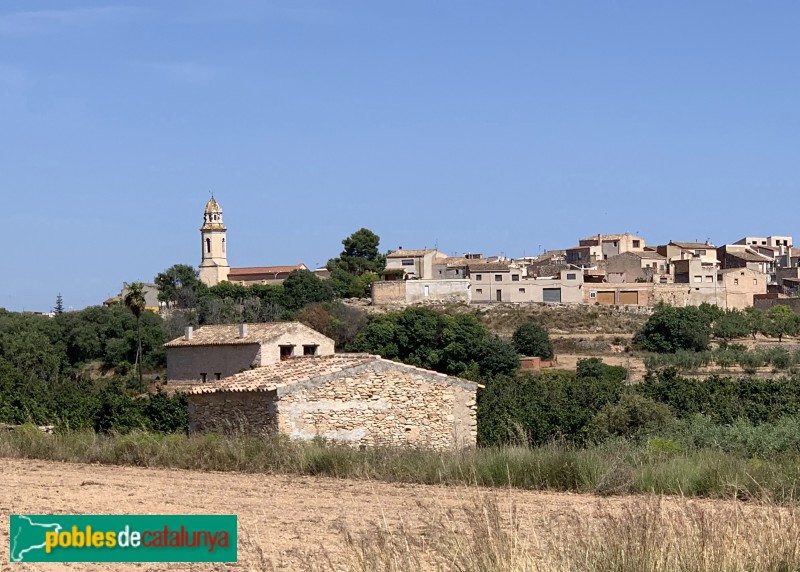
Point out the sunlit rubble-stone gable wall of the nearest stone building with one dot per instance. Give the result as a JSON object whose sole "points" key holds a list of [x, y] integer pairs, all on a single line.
{"points": [[382, 406]]}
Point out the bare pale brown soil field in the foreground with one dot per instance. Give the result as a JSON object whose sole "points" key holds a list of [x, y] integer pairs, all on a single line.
{"points": [[285, 522]]}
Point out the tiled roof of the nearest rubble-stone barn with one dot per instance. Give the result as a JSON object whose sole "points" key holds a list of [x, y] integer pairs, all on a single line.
{"points": [[308, 369]]}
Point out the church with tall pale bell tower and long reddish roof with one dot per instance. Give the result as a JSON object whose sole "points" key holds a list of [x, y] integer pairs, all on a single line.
{"points": [[214, 266]]}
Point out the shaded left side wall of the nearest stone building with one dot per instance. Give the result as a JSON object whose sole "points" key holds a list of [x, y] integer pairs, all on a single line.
{"points": [[232, 412]]}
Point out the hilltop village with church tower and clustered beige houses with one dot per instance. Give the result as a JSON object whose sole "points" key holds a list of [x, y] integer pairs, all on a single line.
{"points": [[604, 269]]}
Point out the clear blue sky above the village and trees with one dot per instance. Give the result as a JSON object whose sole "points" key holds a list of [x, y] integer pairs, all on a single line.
{"points": [[494, 127]]}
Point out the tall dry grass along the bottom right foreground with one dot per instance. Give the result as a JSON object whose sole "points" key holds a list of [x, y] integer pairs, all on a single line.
{"points": [[650, 534]]}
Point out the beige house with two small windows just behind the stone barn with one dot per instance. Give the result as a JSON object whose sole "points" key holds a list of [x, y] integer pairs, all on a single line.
{"points": [[212, 353]]}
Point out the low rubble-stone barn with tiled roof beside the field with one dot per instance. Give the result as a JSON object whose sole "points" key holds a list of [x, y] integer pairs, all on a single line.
{"points": [[359, 399]]}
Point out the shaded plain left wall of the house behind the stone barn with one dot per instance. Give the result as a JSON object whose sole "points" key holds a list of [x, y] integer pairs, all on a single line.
{"points": [[185, 364]]}
